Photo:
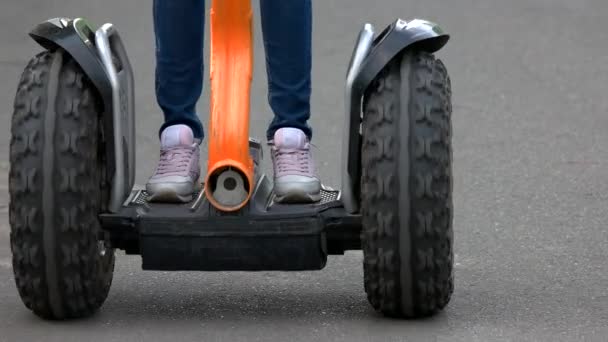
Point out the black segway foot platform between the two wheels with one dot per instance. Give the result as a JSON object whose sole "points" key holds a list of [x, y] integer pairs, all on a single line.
{"points": [[264, 235]]}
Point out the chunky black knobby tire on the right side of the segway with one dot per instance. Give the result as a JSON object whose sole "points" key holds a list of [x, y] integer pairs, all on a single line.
{"points": [[406, 188]]}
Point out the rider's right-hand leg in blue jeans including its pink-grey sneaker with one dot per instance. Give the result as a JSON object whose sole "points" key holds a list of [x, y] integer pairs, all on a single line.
{"points": [[287, 29]]}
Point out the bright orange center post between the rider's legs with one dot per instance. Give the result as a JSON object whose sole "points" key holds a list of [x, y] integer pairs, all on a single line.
{"points": [[228, 185]]}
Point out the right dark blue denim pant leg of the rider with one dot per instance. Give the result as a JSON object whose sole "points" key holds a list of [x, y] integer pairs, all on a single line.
{"points": [[287, 30]]}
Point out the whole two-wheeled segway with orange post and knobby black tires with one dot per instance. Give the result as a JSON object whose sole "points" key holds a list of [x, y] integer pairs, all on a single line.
{"points": [[73, 200]]}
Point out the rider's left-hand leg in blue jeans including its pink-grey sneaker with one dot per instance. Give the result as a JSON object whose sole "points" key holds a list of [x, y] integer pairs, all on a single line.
{"points": [[179, 32]]}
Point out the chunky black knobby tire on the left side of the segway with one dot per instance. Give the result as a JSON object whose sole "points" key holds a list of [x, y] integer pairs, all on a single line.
{"points": [[62, 269]]}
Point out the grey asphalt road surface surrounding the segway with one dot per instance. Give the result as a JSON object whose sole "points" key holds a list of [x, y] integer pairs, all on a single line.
{"points": [[531, 193]]}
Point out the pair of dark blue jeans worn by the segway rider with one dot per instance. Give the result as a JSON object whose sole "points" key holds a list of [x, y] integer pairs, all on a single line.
{"points": [[286, 25]]}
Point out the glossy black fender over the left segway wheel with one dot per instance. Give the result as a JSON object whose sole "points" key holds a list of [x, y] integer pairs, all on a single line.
{"points": [[77, 39]]}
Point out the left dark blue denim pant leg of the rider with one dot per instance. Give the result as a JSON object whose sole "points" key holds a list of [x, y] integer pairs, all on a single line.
{"points": [[179, 30]]}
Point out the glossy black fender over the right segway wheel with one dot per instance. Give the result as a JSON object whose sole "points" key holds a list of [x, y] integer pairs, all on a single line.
{"points": [[396, 38]]}
